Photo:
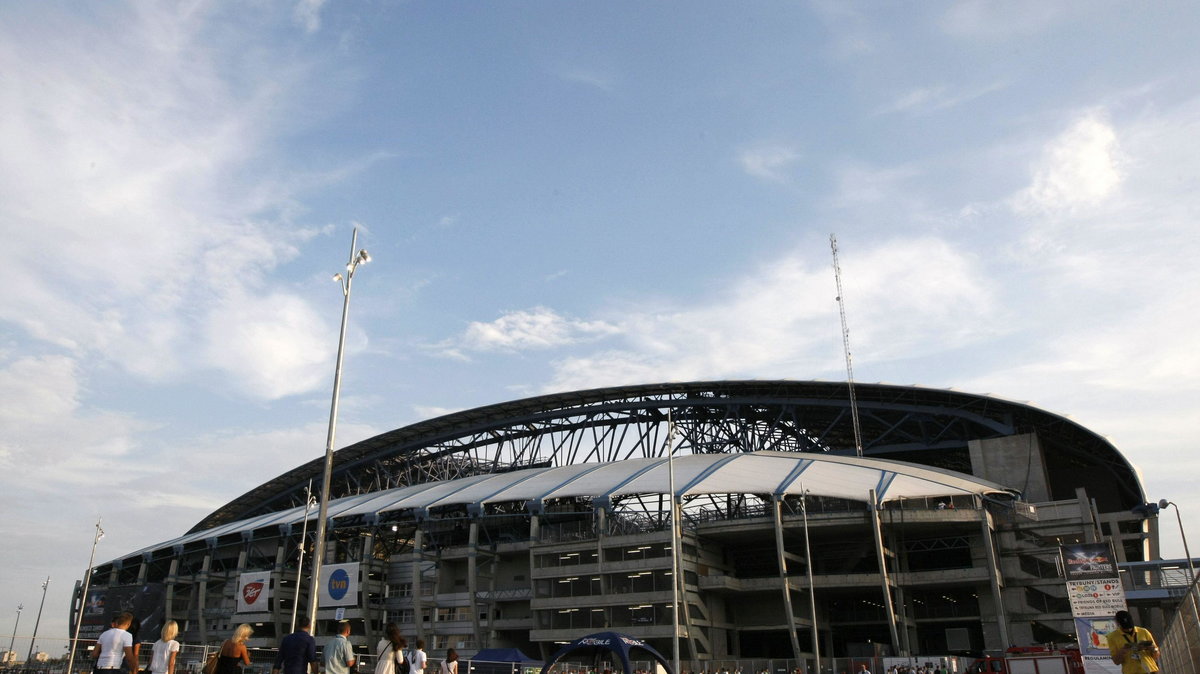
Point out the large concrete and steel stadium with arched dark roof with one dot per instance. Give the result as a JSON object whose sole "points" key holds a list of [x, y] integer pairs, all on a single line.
{"points": [[535, 522]]}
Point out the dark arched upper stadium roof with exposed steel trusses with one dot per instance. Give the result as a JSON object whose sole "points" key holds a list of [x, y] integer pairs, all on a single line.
{"points": [[578, 434]]}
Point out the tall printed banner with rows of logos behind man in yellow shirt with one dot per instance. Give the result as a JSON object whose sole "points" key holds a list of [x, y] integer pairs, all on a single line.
{"points": [[1096, 594]]}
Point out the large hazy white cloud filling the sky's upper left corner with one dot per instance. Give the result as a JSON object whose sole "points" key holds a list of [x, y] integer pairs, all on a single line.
{"points": [[134, 208]]}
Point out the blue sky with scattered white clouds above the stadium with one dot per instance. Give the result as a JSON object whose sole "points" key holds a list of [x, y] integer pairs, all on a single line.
{"points": [[562, 196]]}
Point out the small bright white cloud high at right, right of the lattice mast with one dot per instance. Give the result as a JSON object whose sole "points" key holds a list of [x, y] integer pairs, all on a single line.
{"points": [[1081, 168]]}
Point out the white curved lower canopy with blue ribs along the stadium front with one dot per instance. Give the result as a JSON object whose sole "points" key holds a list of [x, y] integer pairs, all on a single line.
{"points": [[766, 473]]}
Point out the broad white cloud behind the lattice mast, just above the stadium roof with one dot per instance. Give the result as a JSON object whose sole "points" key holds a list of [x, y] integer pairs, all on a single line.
{"points": [[905, 298]]}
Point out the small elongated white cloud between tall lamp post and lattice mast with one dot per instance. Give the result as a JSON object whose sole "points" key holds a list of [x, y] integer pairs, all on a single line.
{"points": [[533, 329]]}
